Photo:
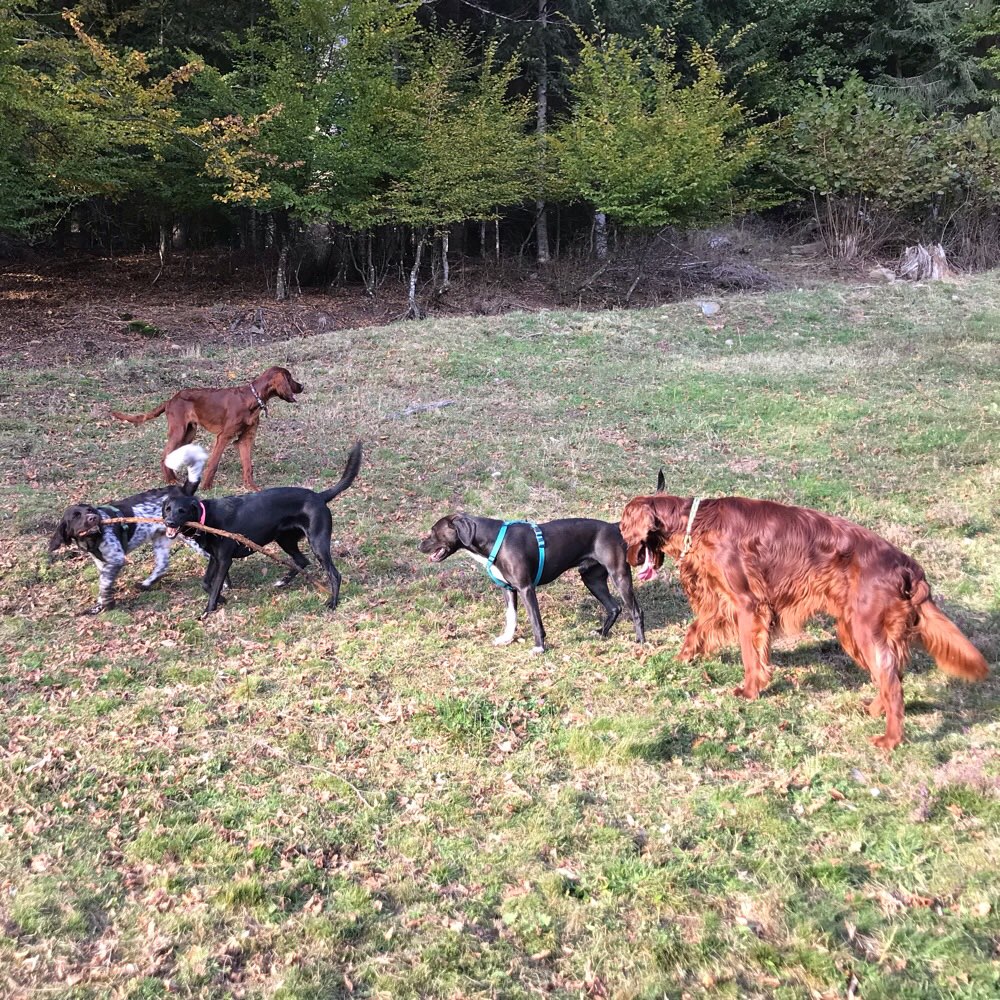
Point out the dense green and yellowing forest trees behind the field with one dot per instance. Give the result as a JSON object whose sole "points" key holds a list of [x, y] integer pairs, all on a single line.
{"points": [[372, 140]]}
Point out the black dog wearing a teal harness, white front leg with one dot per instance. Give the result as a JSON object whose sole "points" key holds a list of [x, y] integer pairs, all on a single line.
{"points": [[521, 556]]}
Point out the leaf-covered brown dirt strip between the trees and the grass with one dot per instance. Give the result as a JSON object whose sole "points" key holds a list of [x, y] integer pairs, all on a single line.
{"points": [[81, 306]]}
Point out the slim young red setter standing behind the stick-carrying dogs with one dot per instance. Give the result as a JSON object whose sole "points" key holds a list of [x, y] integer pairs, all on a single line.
{"points": [[232, 414]]}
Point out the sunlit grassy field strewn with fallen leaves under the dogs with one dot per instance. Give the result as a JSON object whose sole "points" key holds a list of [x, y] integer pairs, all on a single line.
{"points": [[281, 801]]}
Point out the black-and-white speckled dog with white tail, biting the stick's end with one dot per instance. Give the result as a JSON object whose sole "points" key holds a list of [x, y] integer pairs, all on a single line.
{"points": [[107, 544]]}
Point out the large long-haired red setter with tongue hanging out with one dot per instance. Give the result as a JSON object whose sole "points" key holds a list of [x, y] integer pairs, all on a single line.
{"points": [[752, 568]]}
